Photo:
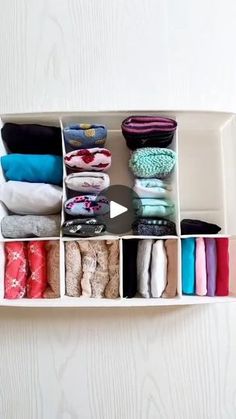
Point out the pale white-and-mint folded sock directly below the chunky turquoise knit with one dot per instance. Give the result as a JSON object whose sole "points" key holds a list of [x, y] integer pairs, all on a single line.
{"points": [[152, 188]]}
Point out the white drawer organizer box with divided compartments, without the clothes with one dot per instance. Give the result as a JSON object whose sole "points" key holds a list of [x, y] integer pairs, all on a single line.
{"points": [[204, 180]]}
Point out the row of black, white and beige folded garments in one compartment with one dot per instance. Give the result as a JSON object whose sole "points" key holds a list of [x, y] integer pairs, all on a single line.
{"points": [[150, 268]]}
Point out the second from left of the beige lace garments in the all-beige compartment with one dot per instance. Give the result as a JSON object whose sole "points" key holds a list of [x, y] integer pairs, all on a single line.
{"points": [[89, 261]]}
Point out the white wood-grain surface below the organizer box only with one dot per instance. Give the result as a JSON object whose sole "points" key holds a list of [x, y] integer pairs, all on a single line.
{"points": [[130, 363]]}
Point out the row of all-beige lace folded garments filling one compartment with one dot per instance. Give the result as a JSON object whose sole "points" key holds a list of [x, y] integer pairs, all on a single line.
{"points": [[92, 268]]}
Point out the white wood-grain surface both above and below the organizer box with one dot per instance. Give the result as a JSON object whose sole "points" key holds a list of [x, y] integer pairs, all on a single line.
{"points": [[177, 363]]}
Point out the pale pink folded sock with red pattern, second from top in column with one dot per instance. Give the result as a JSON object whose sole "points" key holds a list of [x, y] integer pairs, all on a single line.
{"points": [[94, 159]]}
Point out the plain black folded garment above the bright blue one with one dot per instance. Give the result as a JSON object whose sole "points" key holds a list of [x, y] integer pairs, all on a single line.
{"points": [[32, 139]]}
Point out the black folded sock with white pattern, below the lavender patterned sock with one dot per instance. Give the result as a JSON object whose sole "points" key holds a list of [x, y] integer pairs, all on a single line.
{"points": [[83, 227]]}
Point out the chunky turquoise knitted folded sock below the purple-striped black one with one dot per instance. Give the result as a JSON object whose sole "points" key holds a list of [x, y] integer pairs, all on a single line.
{"points": [[152, 162]]}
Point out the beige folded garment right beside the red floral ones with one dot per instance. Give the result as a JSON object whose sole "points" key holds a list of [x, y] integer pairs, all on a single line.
{"points": [[53, 270]]}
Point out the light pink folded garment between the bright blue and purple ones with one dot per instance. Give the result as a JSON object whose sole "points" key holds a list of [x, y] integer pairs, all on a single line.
{"points": [[200, 267]]}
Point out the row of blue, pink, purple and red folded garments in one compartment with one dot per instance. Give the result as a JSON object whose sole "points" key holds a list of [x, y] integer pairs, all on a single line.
{"points": [[205, 266]]}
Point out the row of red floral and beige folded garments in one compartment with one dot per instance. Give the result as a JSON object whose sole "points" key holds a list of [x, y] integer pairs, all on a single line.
{"points": [[32, 269]]}
